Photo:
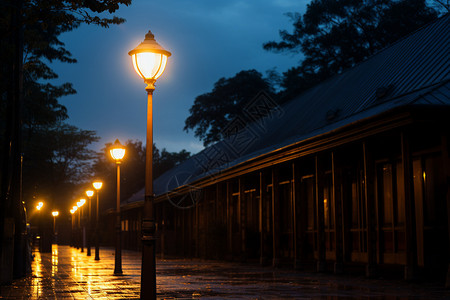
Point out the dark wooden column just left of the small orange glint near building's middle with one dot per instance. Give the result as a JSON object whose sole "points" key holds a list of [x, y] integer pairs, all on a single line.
{"points": [[320, 222]]}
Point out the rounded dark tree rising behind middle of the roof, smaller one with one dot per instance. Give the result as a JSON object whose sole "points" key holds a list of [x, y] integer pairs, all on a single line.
{"points": [[213, 111]]}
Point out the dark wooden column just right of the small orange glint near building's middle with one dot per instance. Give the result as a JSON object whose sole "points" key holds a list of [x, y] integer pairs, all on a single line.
{"points": [[336, 178]]}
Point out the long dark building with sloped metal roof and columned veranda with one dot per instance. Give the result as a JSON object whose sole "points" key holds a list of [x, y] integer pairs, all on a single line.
{"points": [[355, 171]]}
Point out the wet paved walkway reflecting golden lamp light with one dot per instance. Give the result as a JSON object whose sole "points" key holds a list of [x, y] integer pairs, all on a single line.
{"points": [[66, 273]]}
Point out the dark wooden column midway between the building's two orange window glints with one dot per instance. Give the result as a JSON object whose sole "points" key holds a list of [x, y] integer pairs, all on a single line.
{"points": [[369, 195]]}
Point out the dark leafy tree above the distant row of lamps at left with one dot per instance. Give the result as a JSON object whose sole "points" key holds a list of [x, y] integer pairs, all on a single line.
{"points": [[56, 159]]}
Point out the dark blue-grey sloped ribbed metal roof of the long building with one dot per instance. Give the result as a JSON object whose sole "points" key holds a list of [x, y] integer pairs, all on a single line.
{"points": [[412, 71]]}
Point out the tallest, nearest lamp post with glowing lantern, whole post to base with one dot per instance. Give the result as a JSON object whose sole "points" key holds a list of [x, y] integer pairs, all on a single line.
{"points": [[149, 60]]}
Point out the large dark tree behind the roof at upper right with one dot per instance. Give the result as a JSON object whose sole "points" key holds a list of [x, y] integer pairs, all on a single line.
{"points": [[334, 35]]}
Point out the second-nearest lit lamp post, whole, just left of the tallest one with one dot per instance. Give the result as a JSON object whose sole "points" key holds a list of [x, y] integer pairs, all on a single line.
{"points": [[117, 152]]}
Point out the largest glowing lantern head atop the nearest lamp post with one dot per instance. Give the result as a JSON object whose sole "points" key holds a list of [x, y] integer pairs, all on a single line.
{"points": [[149, 60]]}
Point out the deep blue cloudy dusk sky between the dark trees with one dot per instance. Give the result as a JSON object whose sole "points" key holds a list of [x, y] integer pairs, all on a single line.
{"points": [[208, 40]]}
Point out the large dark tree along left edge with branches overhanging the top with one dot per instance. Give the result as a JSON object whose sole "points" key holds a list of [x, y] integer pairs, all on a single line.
{"points": [[29, 35]]}
